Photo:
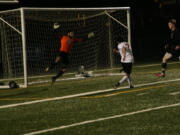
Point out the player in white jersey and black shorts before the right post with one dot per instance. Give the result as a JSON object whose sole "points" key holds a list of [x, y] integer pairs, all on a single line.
{"points": [[127, 59]]}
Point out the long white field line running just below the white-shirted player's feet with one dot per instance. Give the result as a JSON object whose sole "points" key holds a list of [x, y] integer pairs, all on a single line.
{"points": [[80, 94]]}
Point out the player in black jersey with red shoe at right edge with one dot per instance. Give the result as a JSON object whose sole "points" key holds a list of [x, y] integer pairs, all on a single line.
{"points": [[172, 47]]}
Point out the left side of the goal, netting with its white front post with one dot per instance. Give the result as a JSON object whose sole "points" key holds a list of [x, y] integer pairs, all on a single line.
{"points": [[12, 48]]}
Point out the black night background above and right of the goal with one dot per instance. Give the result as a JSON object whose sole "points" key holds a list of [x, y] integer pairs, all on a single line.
{"points": [[149, 20]]}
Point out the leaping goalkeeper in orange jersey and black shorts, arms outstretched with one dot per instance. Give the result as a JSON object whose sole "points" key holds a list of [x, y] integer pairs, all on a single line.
{"points": [[67, 42]]}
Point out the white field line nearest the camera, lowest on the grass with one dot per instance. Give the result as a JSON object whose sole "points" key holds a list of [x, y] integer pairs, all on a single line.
{"points": [[102, 119]]}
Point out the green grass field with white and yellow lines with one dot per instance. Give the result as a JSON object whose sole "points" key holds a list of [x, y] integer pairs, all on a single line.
{"points": [[151, 108]]}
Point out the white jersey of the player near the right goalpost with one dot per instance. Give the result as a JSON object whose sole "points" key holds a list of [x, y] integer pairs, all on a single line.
{"points": [[128, 54]]}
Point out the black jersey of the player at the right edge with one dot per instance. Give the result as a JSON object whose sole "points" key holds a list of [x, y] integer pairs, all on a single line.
{"points": [[173, 41]]}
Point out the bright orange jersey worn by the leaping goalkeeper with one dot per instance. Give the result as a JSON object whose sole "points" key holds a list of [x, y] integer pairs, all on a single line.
{"points": [[67, 43]]}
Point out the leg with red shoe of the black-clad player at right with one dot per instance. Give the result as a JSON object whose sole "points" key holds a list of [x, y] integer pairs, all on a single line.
{"points": [[166, 57]]}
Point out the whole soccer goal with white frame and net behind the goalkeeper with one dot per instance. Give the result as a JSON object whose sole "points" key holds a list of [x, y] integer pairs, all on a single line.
{"points": [[28, 42]]}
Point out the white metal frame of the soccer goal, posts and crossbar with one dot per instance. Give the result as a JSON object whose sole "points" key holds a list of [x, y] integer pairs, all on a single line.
{"points": [[23, 28]]}
